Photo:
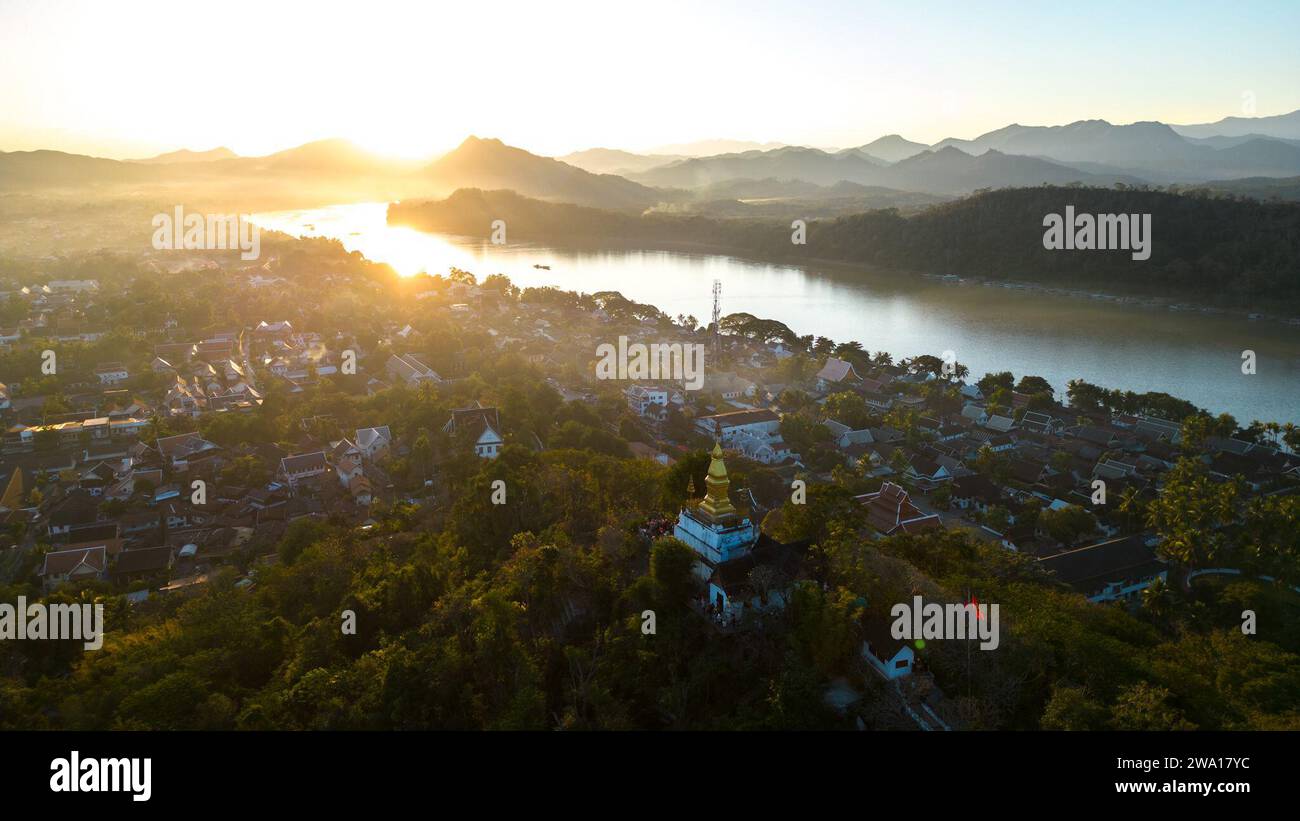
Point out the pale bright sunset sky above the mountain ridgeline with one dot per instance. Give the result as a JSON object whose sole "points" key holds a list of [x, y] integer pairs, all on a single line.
{"points": [[138, 77]]}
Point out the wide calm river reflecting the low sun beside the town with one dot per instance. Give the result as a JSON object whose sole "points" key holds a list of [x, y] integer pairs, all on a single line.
{"points": [[1188, 354]]}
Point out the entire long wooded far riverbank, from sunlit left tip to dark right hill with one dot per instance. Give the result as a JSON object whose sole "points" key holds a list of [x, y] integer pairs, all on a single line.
{"points": [[1224, 250]]}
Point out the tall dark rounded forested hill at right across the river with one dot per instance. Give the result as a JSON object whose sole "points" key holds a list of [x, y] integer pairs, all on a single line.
{"points": [[1241, 251]]}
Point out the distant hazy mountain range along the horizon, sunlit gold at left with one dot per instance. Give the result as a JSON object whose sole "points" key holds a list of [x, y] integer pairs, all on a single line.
{"points": [[886, 172]]}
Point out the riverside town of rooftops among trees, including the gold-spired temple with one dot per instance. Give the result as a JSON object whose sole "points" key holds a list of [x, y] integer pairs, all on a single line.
{"points": [[164, 441]]}
